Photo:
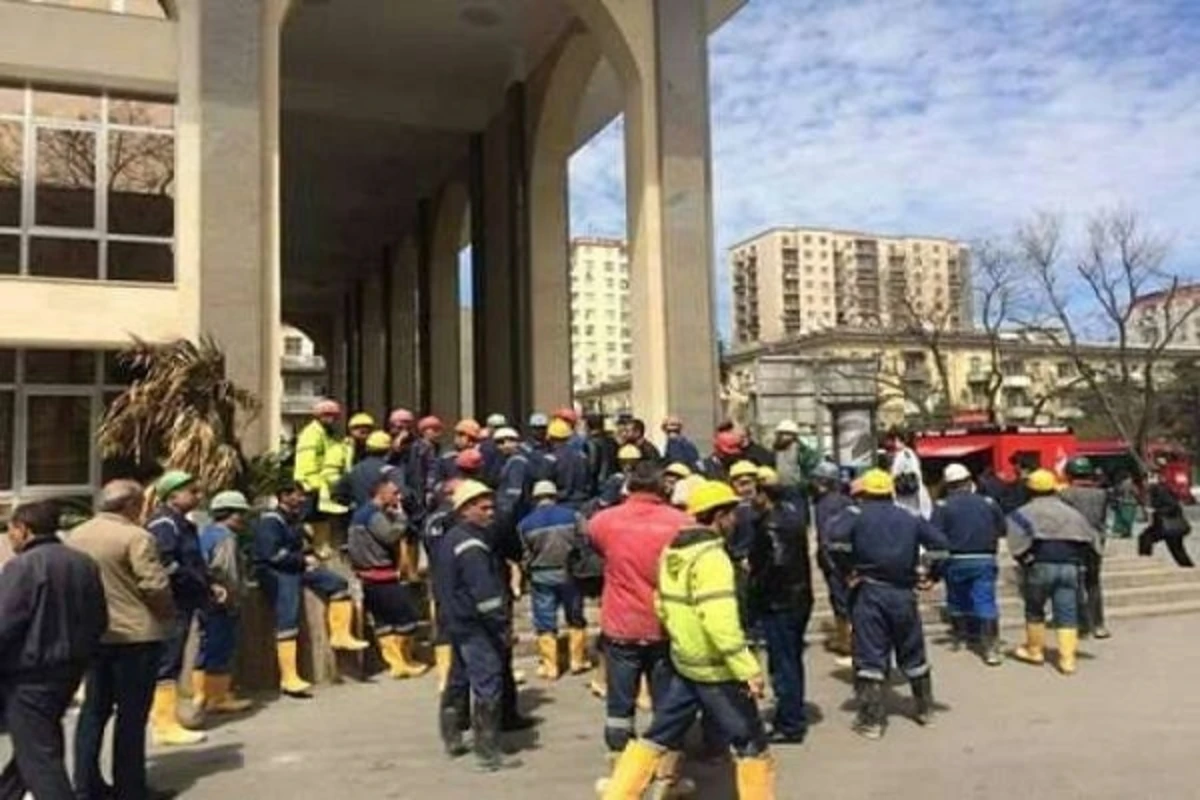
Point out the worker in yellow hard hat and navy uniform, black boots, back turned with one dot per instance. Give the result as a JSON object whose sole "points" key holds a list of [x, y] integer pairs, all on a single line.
{"points": [[878, 546]]}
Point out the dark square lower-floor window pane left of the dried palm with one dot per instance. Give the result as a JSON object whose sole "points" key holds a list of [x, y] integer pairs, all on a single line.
{"points": [[59, 448]]}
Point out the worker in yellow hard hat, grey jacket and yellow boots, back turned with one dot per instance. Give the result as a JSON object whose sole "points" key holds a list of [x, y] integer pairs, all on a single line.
{"points": [[1051, 539]]}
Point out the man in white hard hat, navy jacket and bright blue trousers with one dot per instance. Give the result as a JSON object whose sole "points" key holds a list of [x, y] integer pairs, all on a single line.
{"points": [[974, 525]]}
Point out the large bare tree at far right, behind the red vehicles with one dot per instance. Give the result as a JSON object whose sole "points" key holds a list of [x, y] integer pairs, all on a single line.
{"points": [[1094, 297]]}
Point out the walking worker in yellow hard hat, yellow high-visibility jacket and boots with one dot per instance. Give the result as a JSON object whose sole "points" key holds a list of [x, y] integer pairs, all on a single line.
{"points": [[715, 670]]}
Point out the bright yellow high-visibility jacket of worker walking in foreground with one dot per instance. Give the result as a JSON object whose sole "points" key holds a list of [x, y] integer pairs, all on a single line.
{"points": [[698, 603]]}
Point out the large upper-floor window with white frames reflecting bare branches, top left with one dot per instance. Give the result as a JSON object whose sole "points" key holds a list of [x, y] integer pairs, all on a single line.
{"points": [[87, 187]]}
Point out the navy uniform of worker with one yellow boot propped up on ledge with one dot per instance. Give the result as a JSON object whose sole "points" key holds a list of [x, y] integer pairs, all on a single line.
{"points": [[284, 574]]}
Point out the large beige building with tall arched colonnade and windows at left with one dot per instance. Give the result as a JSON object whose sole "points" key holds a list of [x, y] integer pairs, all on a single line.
{"points": [[185, 169]]}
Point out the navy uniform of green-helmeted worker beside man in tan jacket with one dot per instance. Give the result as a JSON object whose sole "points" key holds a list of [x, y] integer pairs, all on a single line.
{"points": [[179, 550]]}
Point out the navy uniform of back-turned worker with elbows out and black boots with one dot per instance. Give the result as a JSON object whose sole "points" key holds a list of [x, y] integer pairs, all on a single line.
{"points": [[879, 546]]}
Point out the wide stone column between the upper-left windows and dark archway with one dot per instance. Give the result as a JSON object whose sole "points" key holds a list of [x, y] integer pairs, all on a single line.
{"points": [[229, 159]]}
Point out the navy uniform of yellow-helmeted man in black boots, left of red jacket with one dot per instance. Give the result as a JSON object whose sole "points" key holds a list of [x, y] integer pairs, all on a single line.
{"points": [[473, 611]]}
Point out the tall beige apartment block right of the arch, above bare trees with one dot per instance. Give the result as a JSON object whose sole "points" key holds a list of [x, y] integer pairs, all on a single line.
{"points": [[794, 281]]}
